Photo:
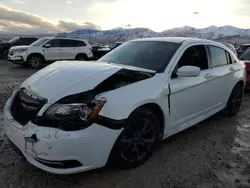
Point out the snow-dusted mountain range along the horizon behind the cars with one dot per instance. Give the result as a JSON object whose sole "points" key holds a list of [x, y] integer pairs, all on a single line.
{"points": [[230, 34]]}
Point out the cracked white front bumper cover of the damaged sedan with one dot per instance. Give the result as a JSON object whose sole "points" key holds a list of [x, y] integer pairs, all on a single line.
{"points": [[58, 151]]}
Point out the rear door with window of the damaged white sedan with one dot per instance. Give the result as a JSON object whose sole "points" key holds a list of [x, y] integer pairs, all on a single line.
{"points": [[223, 68]]}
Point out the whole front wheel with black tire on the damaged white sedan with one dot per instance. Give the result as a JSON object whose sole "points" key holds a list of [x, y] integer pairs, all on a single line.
{"points": [[137, 141]]}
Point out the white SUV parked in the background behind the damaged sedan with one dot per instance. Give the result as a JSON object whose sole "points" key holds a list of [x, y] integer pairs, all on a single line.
{"points": [[49, 50]]}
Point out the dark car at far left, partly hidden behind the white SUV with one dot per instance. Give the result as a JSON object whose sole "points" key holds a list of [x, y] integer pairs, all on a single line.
{"points": [[17, 41]]}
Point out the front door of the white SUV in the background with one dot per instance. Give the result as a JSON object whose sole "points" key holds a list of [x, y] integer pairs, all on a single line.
{"points": [[53, 52]]}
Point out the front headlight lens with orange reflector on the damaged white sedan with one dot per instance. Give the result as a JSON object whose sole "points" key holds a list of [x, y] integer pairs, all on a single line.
{"points": [[76, 112]]}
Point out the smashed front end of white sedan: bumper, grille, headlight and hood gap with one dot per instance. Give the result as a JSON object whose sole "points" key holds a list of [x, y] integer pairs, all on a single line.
{"points": [[50, 140]]}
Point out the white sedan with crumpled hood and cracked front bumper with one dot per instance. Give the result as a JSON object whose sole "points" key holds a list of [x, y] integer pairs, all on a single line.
{"points": [[76, 116]]}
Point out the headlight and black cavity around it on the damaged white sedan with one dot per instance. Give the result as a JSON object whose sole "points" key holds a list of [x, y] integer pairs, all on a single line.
{"points": [[73, 116]]}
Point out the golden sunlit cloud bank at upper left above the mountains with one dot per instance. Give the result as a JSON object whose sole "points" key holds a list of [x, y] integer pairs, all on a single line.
{"points": [[17, 21]]}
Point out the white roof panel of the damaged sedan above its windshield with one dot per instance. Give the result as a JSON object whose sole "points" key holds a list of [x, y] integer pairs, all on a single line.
{"points": [[175, 39]]}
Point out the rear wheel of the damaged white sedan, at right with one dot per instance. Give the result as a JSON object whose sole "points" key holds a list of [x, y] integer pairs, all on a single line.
{"points": [[234, 101]]}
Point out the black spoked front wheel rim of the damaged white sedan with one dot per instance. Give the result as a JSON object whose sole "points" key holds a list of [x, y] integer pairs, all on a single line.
{"points": [[138, 140]]}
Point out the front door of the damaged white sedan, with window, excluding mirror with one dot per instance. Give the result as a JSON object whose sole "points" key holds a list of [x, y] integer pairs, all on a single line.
{"points": [[191, 98]]}
